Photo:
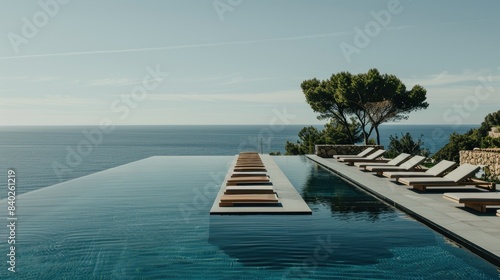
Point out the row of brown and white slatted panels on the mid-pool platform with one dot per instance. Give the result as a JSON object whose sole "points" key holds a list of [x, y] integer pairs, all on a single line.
{"points": [[249, 184]]}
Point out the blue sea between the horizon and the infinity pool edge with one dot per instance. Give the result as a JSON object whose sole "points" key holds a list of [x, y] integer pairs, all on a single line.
{"points": [[46, 155]]}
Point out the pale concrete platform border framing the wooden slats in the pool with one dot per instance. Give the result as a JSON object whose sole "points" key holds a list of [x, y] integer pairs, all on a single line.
{"points": [[291, 201]]}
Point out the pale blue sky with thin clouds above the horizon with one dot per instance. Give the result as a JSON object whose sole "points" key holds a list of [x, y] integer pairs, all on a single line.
{"points": [[65, 62]]}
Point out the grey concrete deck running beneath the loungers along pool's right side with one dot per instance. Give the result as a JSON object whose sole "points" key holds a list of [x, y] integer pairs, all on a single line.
{"points": [[479, 232]]}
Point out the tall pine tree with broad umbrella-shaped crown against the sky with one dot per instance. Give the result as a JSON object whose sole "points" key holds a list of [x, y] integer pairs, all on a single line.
{"points": [[371, 98]]}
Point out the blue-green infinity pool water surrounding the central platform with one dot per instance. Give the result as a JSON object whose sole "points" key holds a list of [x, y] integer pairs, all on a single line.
{"points": [[150, 220]]}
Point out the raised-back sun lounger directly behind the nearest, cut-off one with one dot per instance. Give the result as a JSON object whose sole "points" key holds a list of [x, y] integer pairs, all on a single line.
{"points": [[462, 176]]}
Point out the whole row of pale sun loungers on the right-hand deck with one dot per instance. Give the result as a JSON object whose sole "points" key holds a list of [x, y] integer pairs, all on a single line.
{"points": [[405, 170]]}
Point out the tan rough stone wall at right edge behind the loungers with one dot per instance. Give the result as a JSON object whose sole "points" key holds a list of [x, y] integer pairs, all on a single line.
{"points": [[490, 158]]}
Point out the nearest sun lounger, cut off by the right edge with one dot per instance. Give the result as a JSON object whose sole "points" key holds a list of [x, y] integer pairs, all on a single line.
{"points": [[477, 201]]}
